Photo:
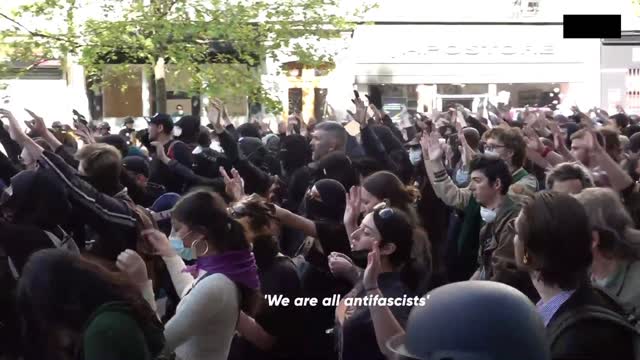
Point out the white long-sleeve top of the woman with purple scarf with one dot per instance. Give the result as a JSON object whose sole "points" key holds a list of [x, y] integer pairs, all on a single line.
{"points": [[206, 317]]}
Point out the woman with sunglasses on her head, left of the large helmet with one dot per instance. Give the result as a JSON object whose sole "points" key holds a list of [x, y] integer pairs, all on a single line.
{"points": [[388, 230]]}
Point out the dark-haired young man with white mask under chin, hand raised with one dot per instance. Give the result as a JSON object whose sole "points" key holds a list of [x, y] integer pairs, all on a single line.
{"points": [[492, 254]]}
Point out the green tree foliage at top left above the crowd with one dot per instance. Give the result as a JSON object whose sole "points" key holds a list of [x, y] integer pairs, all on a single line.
{"points": [[220, 44]]}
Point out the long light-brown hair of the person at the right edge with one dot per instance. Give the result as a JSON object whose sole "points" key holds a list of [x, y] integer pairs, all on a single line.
{"points": [[607, 215]]}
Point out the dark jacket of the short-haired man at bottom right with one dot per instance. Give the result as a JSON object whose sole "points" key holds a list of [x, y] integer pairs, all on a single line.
{"points": [[589, 339]]}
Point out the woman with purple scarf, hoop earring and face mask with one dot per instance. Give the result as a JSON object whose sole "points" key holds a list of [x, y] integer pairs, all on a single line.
{"points": [[222, 284]]}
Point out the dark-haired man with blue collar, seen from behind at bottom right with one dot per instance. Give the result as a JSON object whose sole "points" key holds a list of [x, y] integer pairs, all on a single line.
{"points": [[554, 243]]}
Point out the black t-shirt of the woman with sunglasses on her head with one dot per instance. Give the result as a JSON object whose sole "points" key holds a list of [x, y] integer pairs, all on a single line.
{"points": [[357, 336]]}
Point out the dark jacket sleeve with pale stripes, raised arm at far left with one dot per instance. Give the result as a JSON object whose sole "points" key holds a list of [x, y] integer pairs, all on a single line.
{"points": [[110, 218]]}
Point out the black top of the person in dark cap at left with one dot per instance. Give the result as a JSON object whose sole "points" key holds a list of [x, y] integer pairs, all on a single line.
{"points": [[160, 173]]}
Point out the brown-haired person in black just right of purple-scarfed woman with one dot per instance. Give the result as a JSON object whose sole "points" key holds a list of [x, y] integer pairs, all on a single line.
{"points": [[275, 331]]}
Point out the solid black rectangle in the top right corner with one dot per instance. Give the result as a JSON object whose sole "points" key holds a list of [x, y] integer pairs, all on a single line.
{"points": [[591, 26]]}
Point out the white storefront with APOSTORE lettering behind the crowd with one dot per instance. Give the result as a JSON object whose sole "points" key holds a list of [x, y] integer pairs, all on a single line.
{"points": [[434, 65]]}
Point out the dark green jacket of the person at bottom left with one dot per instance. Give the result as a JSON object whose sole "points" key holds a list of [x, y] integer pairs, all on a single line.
{"points": [[113, 333]]}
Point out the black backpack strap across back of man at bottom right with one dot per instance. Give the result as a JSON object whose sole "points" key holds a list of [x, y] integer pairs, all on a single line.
{"points": [[592, 312]]}
